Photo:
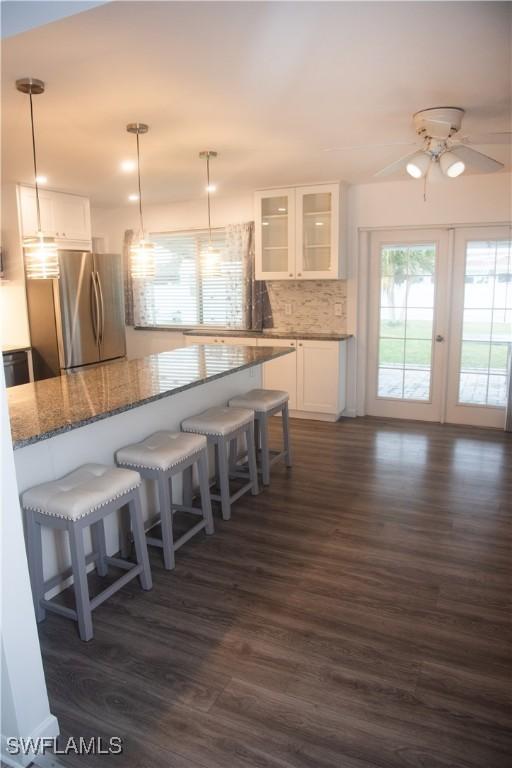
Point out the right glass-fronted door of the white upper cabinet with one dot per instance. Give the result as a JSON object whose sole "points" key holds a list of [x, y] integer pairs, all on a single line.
{"points": [[317, 221]]}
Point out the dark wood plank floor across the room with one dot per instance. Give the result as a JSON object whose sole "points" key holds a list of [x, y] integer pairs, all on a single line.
{"points": [[356, 615]]}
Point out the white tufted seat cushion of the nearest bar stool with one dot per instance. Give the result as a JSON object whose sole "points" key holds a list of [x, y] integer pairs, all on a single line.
{"points": [[81, 492]]}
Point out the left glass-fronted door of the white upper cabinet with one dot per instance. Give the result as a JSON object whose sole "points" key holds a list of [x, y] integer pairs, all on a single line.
{"points": [[275, 234]]}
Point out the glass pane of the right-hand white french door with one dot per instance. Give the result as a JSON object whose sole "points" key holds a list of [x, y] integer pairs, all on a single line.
{"points": [[487, 324]]}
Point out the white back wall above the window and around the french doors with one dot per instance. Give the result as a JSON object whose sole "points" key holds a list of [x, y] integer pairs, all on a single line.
{"points": [[472, 199]]}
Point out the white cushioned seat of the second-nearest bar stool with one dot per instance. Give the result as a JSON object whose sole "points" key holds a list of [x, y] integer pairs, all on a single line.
{"points": [[162, 450]]}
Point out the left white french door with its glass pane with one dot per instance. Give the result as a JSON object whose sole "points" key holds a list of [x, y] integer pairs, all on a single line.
{"points": [[407, 324]]}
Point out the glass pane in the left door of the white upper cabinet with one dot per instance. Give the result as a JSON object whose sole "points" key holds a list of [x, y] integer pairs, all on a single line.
{"points": [[274, 234]]}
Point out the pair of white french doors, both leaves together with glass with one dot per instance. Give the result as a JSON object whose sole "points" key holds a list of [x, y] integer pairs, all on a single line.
{"points": [[440, 325]]}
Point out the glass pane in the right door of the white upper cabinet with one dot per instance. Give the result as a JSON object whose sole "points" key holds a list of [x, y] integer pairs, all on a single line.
{"points": [[316, 231]]}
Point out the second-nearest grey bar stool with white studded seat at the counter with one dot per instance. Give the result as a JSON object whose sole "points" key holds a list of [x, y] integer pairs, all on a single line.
{"points": [[161, 457]]}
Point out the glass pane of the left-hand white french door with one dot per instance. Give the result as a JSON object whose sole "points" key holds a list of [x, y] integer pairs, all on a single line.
{"points": [[406, 321]]}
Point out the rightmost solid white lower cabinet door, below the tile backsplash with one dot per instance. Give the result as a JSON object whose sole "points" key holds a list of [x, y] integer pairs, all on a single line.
{"points": [[318, 368]]}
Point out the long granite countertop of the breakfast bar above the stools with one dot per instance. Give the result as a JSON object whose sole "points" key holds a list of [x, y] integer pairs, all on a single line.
{"points": [[42, 409]]}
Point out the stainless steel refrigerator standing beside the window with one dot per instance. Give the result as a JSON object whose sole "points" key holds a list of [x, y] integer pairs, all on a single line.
{"points": [[77, 320]]}
